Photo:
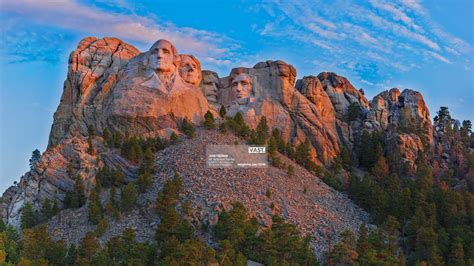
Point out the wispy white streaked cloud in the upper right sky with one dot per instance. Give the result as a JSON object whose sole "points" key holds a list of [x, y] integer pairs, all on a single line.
{"points": [[381, 35]]}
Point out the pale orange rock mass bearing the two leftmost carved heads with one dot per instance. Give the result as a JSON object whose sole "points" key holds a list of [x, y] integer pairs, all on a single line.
{"points": [[148, 101]]}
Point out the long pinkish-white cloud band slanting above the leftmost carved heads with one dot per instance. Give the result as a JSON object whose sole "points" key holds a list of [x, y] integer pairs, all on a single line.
{"points": [[72, 15]]}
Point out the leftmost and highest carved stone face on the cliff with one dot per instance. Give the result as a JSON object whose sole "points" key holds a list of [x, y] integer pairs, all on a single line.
{"points": [[162, 57]]}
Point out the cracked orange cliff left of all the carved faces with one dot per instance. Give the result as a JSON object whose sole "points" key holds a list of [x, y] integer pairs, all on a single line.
{"points": [[92, 70]]}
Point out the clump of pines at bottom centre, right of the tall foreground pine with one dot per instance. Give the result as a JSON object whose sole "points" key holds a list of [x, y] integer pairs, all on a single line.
{"points": [[282, 243]]}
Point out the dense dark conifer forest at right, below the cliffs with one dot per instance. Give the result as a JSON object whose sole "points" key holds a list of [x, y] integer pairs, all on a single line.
{"points": [[424, 219]]}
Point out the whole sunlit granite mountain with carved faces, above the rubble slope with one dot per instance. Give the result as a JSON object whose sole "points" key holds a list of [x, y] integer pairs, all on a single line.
{"points": [[111, 84]]}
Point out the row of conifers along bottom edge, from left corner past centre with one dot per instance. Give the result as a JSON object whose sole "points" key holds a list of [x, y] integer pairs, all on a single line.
{"points": [[238, 239]]}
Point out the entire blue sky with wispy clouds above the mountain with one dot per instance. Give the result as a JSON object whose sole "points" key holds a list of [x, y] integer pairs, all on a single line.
{"points": [[424, 45]]}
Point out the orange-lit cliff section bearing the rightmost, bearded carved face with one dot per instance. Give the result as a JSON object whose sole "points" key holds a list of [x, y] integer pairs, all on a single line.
{"points": [[268, 89]]}
